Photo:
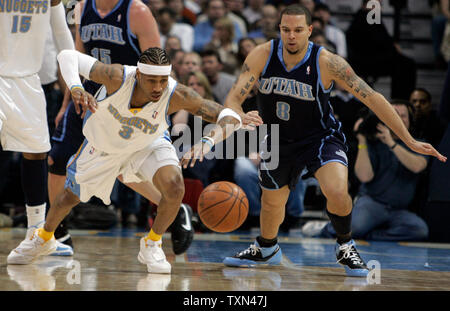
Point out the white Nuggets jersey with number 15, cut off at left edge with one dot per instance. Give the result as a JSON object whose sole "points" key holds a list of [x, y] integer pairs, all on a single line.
{"points": [[23, 29]]}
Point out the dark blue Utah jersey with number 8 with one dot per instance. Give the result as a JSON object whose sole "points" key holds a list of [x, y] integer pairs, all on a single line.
{"points": [[296, 99]]}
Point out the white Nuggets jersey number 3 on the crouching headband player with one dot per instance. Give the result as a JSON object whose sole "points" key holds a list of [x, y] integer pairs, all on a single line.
{"points": [[115, 127]]}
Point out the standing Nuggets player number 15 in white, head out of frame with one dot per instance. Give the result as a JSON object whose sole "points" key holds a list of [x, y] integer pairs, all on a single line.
{"points": [[24, 26]]}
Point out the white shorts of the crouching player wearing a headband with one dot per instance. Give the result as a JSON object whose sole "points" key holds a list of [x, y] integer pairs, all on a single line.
{"points": [[91, 172]]}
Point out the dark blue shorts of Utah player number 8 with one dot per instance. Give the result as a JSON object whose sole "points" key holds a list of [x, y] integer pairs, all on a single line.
{"points": [[293, 158]]}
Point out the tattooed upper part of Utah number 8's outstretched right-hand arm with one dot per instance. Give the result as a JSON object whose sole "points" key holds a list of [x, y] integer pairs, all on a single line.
{"points": [[342, 71]]}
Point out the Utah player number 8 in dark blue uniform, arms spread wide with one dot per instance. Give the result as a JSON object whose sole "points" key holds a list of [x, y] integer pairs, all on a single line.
{"points": [[295, 79]]}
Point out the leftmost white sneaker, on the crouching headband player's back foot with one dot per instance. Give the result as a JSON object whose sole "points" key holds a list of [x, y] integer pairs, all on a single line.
{"points": [[30, 249]]}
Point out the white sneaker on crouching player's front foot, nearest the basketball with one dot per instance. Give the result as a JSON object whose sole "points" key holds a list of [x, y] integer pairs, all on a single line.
{"points": [[152, 255]]}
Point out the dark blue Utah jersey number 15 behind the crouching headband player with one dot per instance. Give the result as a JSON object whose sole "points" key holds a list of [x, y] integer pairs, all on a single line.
{"points": [[109, 39]]}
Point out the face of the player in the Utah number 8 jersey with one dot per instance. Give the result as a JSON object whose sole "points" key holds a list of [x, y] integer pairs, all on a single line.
{"points": [[294, 33]]}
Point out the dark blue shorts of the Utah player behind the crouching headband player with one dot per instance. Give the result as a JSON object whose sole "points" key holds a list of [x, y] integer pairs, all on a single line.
{"points": [[66, 140]]}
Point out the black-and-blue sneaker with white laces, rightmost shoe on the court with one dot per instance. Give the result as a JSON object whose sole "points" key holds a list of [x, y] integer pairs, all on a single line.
{"points": [[348, 256]]}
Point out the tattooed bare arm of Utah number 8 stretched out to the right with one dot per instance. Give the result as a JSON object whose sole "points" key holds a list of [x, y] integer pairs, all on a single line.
{"points": [[335, 68]]}
